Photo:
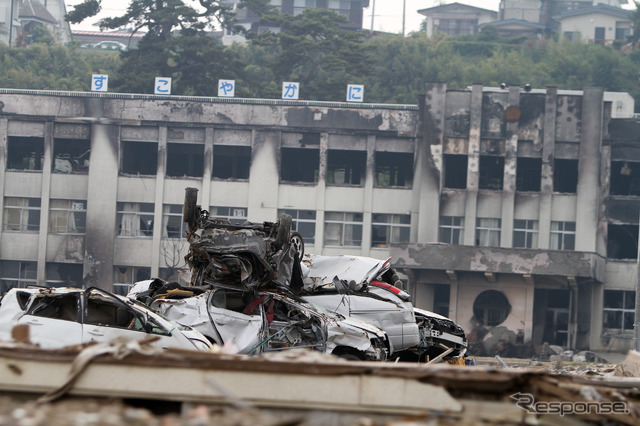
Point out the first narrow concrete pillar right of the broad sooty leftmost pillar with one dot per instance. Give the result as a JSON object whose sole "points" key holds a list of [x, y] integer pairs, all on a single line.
{"points": [[161, 171]]}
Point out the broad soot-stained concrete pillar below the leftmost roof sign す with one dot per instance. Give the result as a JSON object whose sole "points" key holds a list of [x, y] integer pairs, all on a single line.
{"points": [[101, 199]]}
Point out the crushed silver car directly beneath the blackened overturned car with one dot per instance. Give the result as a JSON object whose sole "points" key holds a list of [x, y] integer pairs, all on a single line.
{"points": [[262, 321]]}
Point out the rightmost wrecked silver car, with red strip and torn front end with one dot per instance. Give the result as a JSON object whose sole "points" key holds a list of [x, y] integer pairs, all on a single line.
{"points": [[363, 288]]}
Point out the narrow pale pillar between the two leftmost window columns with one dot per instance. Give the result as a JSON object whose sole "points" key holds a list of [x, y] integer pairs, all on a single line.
{"points": [[47, 161]]}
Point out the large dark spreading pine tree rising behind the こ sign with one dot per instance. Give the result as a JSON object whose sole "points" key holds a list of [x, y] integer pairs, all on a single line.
{"points": [[176, 43]]}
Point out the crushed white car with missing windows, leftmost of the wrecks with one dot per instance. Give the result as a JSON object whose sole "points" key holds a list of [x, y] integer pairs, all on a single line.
{"points": [[66, 316]]}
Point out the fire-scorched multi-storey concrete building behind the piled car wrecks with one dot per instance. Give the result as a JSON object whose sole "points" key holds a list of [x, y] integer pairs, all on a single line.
{"points": [[514, 213]]}
